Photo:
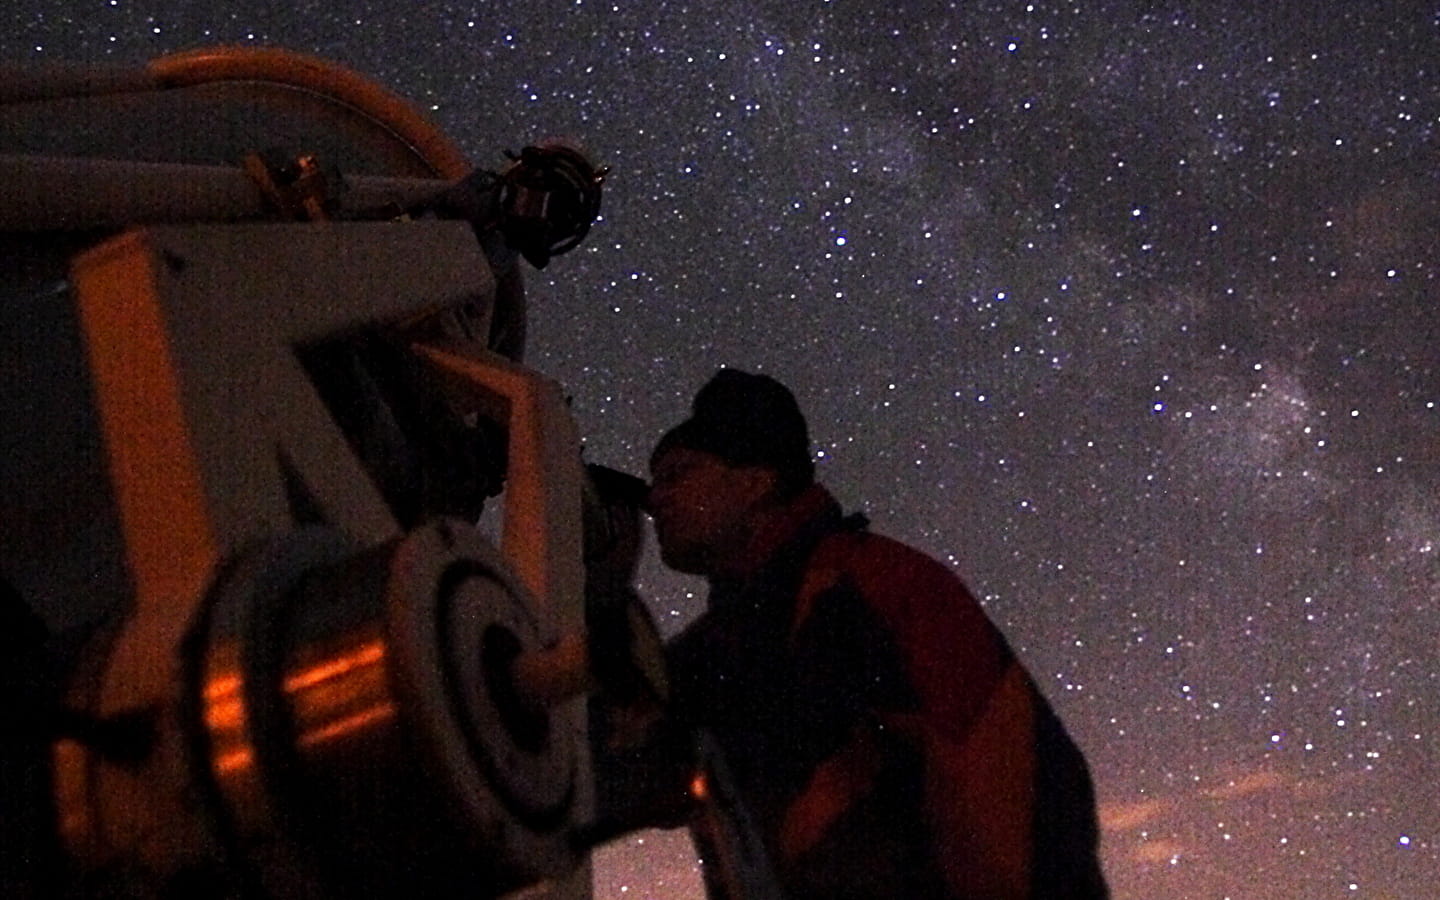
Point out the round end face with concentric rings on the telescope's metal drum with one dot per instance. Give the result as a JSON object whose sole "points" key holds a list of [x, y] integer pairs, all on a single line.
{"points": [[457, 620]]}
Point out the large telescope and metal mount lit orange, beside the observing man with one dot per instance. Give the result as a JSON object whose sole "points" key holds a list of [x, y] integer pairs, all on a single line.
{"points": [[263, 338]]}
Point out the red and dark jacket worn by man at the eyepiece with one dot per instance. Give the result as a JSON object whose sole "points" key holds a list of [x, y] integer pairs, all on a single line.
{"points": [[879, 728]]}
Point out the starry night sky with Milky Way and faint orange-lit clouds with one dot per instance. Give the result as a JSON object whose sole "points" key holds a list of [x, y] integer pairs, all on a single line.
{"points": [[1130, 312]]}
